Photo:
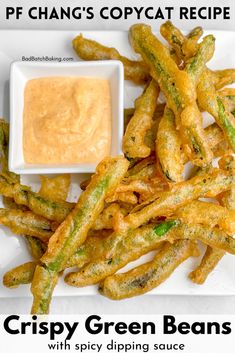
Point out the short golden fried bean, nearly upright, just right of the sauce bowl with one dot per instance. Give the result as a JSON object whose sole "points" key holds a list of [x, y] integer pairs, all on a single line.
{"points": [[133, 141]]}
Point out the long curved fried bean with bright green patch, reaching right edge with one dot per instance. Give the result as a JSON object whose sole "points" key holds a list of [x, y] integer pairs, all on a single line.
{"points": [[125, 248]]}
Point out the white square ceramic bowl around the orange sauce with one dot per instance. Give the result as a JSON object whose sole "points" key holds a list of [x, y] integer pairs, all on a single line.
{"points": [[21, 72]]}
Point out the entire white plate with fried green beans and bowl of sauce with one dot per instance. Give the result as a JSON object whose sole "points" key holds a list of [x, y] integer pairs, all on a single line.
{"points": [[125, 153]]}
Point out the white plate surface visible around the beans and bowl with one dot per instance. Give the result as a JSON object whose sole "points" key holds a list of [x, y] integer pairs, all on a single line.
{"points": [[16, 44]]}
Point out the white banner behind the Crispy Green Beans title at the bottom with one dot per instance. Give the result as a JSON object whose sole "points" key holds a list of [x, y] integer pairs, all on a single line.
{"points": [[216, 343]]}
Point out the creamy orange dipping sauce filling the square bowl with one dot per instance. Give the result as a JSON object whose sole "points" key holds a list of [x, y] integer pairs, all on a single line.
{"points": [[66, 120]]}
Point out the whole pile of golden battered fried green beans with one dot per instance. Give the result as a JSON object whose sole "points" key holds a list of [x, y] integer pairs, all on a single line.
{"points": [[129, 208]]}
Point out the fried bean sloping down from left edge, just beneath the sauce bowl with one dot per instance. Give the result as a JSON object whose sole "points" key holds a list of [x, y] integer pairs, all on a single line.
{"points": [[23, 195]]}
